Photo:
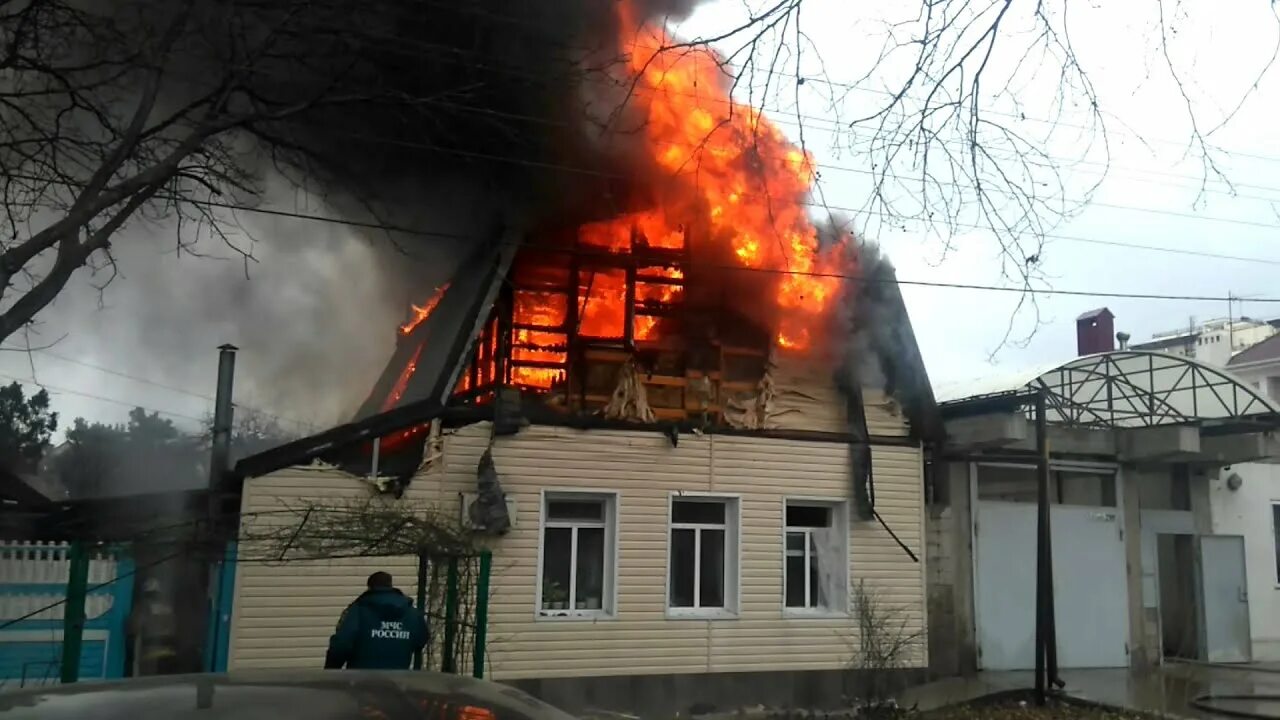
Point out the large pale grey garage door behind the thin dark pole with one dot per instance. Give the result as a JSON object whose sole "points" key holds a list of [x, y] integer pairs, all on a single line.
{"points": [[1090, 586]]}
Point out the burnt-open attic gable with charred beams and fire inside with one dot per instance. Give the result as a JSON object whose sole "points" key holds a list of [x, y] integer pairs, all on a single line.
{"points": [[624, 326]]}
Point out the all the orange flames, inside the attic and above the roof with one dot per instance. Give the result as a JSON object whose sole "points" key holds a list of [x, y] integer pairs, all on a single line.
{"points": [[730, 175]]}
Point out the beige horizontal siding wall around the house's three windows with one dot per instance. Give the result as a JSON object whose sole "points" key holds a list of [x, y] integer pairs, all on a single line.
{"points": [[294, 608]]}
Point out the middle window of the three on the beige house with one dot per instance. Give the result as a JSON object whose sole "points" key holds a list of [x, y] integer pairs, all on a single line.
{"points": [[702, 567]]}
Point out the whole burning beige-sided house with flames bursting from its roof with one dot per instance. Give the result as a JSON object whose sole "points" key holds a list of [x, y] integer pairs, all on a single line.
{"points": [[687, 425]]}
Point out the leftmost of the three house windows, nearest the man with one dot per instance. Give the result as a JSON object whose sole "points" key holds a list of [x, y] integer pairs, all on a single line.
{"points": [[578, 555]]}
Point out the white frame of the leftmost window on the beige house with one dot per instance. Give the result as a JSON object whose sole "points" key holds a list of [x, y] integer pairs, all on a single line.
{"points": [[610, 600]]}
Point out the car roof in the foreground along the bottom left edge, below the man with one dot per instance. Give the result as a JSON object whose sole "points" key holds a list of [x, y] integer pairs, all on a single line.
{"points": [[333, 695]]}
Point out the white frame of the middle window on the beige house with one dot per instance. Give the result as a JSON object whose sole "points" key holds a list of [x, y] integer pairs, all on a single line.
{"points": [[733, 528]]}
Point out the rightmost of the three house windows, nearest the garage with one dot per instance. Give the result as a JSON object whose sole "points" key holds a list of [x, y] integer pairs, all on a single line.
{"points": [[816, 558]]}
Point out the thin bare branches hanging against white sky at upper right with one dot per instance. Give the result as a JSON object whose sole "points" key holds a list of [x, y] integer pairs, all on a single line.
{"points": [[971, 117]]}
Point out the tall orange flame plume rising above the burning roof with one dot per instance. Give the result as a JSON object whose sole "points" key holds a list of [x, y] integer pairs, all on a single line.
{"points": [[740, 175]]}
